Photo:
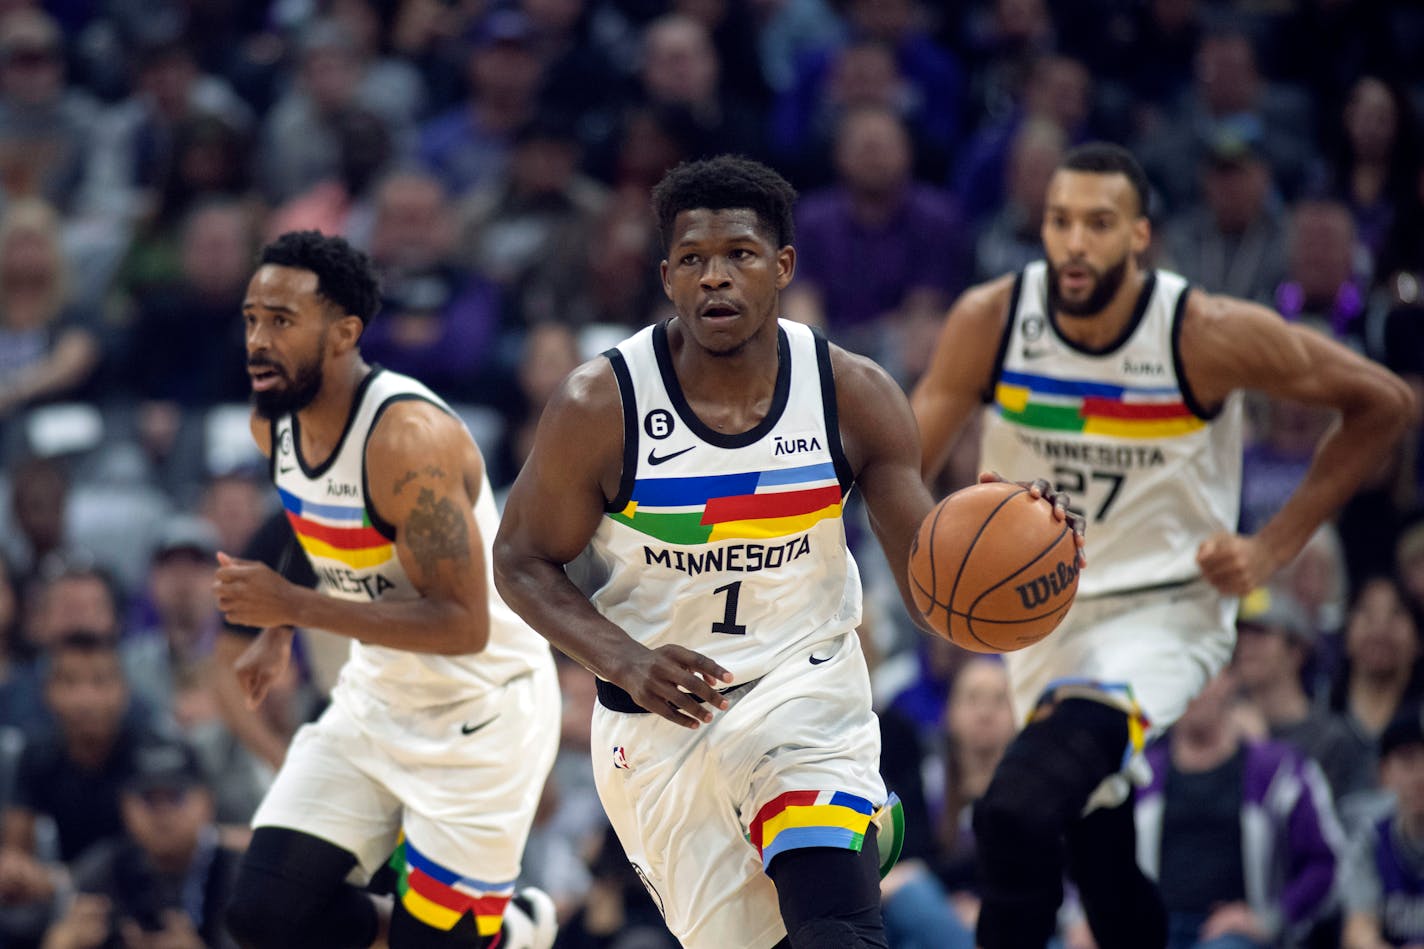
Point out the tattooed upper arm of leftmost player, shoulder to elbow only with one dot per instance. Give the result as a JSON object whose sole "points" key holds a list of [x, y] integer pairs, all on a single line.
{"points": [[424, 477]]}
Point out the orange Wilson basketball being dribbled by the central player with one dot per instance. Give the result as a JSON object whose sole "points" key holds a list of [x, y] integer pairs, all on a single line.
{"points": [[992, 571]]}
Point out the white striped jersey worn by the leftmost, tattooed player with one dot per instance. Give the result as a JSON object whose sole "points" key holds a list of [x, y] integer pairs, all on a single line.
{"points": [[354, 555]]}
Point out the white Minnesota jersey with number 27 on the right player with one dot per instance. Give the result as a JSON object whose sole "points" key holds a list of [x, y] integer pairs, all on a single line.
{"points": [[1120, 431]]}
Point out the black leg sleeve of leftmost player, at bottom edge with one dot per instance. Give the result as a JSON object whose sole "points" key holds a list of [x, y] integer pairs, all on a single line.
{"points": [[293, 894]]}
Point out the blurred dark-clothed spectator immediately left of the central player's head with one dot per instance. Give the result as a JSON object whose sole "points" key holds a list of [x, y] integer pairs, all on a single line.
{"points": [[530, 229]]}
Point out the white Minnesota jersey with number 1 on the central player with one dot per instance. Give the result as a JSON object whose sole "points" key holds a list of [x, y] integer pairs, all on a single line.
{"points": [[730, 545]]}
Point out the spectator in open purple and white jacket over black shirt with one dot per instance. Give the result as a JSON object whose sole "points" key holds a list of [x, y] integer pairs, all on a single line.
{"points": [[1241, 836]]}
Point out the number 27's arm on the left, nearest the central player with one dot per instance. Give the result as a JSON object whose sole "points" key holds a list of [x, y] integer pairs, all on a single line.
{"points": [[960, 370]]}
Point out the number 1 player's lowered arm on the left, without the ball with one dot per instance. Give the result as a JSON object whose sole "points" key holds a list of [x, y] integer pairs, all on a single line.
{"points": [[550, 517]]}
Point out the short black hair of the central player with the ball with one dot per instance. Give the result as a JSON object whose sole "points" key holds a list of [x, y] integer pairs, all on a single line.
{"points": [[723, 185]]}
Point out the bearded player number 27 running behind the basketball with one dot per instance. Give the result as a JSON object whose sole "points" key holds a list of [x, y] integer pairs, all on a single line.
{"points": [[1126, 384]]}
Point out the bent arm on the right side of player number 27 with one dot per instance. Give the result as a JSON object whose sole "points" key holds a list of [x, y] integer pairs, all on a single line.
{"points": [[1230, 344]]}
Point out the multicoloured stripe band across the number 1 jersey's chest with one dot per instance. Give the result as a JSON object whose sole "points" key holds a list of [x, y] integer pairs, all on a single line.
{"points": [[744, 507]]}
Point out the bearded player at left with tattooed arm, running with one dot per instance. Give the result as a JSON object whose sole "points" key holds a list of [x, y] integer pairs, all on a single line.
{"points": [[445, 722]]}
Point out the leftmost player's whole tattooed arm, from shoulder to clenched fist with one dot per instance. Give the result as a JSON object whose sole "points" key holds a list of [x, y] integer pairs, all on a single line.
{"points": [[424, 474]]}
